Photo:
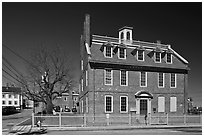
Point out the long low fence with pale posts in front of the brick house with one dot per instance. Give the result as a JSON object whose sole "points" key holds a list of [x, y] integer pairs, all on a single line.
{"points": [[74, 120]]}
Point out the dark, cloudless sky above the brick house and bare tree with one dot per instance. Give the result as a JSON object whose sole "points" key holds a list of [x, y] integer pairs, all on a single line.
{"points": [[28, 25]]}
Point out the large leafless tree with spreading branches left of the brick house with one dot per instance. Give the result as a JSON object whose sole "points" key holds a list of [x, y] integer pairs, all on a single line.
{"points": [[48, 76]]}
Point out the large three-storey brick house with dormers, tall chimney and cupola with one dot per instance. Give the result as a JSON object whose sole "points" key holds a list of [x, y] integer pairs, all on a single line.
{"points": [[120, 75]]}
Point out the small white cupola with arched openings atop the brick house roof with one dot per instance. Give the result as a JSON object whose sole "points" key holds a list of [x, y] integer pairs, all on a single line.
{"points": [[125, 35]]}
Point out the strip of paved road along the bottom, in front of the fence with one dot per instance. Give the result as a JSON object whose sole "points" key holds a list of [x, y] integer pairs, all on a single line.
{"points": [[179, 131]]}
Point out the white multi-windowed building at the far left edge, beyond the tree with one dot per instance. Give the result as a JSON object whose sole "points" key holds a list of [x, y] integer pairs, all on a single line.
{"points": [[11, 96]]}
